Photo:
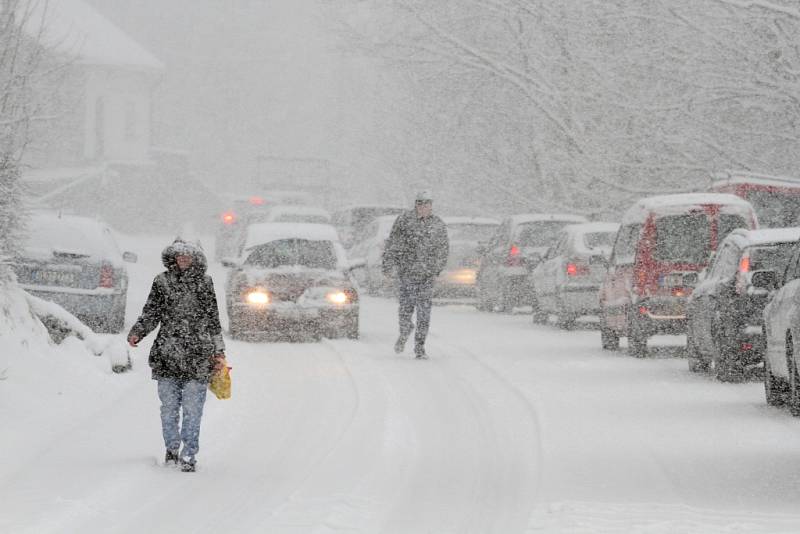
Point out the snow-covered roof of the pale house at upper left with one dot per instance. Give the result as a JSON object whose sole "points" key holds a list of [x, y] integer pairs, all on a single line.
{"points": [[74, 28]]}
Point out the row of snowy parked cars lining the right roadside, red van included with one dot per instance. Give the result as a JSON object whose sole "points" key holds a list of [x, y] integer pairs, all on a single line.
{"points": [[695, 264]]}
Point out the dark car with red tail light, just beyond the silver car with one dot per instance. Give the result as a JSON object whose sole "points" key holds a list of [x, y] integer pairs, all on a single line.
{"points": [[516, 247]]}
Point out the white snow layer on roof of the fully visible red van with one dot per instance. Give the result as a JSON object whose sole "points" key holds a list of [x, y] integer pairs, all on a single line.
{"points": [[680, 203]]}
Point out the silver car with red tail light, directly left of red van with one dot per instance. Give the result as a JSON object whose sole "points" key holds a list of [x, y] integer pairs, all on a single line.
{"points": [[567, 281]]}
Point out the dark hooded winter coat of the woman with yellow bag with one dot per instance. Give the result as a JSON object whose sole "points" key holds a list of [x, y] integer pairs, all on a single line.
{"points": [[183, 303]]}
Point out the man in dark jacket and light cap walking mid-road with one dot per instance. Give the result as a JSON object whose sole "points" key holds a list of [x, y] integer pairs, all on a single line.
{"points": [[416, 252]]}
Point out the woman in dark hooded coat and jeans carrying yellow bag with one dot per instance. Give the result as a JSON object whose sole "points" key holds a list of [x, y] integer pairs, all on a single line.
{"points": [[187, 349]]}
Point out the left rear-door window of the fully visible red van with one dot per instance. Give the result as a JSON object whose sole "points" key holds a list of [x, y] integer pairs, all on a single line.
{"points": [[683, 238]]}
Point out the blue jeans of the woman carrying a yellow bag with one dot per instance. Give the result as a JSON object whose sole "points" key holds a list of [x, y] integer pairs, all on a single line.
{"points": [[191, 396]]}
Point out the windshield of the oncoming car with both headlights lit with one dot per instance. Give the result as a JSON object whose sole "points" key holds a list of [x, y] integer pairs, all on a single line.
{"points": [[293, 252]]}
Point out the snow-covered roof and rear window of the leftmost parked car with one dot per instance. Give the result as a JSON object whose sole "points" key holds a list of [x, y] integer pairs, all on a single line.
{"points": [[69, 234]]}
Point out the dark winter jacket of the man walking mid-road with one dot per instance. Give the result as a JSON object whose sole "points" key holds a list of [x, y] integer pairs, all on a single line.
{"points": [[417, 248]]}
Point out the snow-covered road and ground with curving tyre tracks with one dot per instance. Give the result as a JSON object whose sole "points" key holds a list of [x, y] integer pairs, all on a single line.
{"points": [[509, 427]]}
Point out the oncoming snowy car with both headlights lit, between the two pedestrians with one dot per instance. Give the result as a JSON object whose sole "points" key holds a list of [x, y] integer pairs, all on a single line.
{"points": [[292, 278]]}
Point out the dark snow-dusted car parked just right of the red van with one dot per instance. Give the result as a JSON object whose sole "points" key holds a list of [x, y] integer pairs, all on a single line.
{"points": [[725, 311]]}
